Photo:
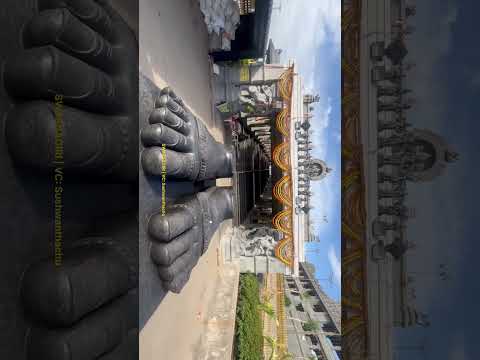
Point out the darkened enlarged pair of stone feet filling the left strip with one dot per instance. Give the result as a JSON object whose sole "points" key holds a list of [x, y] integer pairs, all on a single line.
{"points": [[77, 63]]}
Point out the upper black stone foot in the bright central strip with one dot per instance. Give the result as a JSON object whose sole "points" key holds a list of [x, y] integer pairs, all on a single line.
{"points": [[190, 151]]}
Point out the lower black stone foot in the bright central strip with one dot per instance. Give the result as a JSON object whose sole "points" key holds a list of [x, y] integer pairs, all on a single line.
{"points": [[181, 235]]}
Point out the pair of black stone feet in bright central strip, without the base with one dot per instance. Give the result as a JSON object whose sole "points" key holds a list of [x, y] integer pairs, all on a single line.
{"points": [[181, 233]]}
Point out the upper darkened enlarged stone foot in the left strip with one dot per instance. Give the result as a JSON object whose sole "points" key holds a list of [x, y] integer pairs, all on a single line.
{"points": [[75, 86]]}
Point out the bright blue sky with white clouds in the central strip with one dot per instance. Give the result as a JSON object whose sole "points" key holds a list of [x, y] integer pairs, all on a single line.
{"points": [[308, 31]]}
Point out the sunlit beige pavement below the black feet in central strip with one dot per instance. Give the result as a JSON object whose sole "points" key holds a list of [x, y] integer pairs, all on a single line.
{"points": [[198, 323]]}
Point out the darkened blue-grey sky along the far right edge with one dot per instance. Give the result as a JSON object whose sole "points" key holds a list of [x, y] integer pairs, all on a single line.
{"points": [[446, 84]]}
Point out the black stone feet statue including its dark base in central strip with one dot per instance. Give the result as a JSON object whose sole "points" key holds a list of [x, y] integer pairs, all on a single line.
{"points": [[178, 155]]}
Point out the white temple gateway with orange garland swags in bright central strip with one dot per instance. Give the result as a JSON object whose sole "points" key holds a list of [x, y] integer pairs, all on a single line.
{"points": [[273, 169]]}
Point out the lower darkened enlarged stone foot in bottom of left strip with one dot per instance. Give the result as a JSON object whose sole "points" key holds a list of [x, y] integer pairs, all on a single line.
{"points": [[85, 308]]}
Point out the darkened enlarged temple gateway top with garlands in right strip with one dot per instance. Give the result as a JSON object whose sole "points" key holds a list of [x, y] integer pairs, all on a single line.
{"points": [[383, 155]]}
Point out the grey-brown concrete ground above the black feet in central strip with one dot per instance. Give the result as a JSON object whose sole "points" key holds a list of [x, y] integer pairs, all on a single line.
{"points": [[174, 51]]}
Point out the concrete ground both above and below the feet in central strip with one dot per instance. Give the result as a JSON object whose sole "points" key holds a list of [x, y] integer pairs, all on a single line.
{"points": [[199, 322]]}
